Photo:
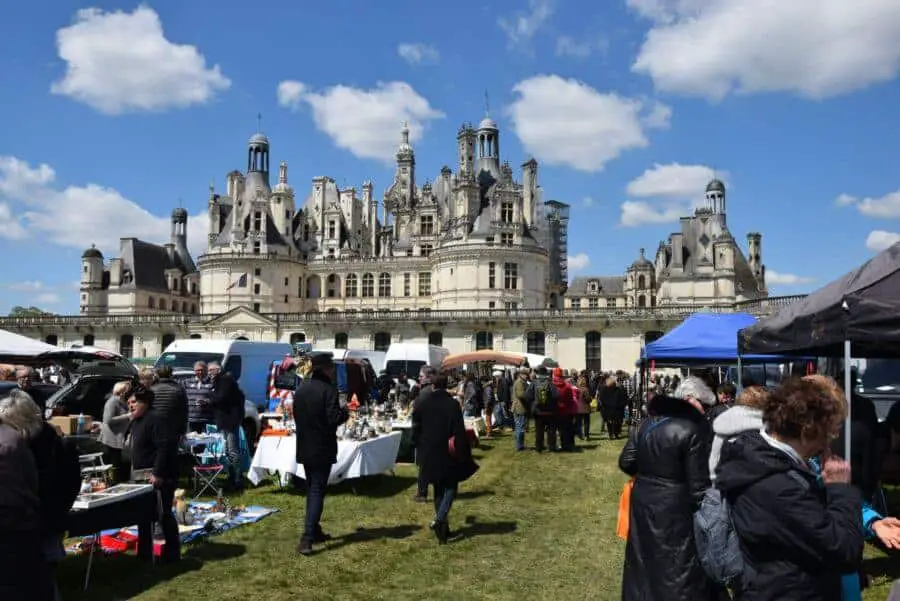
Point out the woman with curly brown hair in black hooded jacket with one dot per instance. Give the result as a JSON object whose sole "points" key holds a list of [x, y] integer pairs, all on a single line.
{"points": [[799, 533]]}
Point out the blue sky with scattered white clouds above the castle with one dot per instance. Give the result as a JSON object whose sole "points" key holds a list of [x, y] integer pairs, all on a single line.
{"points": [[113, 116]]}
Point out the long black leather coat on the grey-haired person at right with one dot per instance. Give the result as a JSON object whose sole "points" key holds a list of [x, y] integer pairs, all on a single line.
{"points": [[668, 456]]}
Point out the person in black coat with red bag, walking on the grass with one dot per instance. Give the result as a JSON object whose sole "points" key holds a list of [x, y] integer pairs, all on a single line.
{"points": [[443, 450]]}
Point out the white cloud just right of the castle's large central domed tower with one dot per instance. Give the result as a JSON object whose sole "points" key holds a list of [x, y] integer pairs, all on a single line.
{"points": [[567, 122]]}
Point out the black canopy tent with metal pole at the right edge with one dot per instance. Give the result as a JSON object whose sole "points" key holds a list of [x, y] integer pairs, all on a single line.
{"points": [[857, 315]]}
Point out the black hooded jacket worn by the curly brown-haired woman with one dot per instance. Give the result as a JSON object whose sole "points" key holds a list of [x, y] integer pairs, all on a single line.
{"points": [[797, 537]]}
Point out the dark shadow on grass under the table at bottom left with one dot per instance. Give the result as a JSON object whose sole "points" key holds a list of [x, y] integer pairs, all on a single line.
{"points": [[107, 583]]}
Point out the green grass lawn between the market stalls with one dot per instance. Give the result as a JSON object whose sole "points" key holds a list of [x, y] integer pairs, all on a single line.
{"points": [[532, 527]]}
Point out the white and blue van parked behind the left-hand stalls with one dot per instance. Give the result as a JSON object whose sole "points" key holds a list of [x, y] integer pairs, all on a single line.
{"points": [[248, 362]]}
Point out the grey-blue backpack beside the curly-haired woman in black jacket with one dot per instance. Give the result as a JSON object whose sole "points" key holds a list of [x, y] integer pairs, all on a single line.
{"points": [[718, 544]]}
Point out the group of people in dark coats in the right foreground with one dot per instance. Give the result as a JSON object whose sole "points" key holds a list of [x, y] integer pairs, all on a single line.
{"points": [[799, 511]]}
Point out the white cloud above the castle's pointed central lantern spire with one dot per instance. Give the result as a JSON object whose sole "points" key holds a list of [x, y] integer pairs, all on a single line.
{"points": [[365, 122]]}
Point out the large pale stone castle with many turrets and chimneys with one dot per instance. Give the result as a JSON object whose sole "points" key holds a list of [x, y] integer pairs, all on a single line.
{"points": [[471, 259]]}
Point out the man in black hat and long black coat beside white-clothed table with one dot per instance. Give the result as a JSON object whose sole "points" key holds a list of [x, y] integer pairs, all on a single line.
{"points": [[317, 413]]}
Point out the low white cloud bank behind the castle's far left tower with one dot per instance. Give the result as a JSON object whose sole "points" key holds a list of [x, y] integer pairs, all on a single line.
{"points": [[89, 211]]}
